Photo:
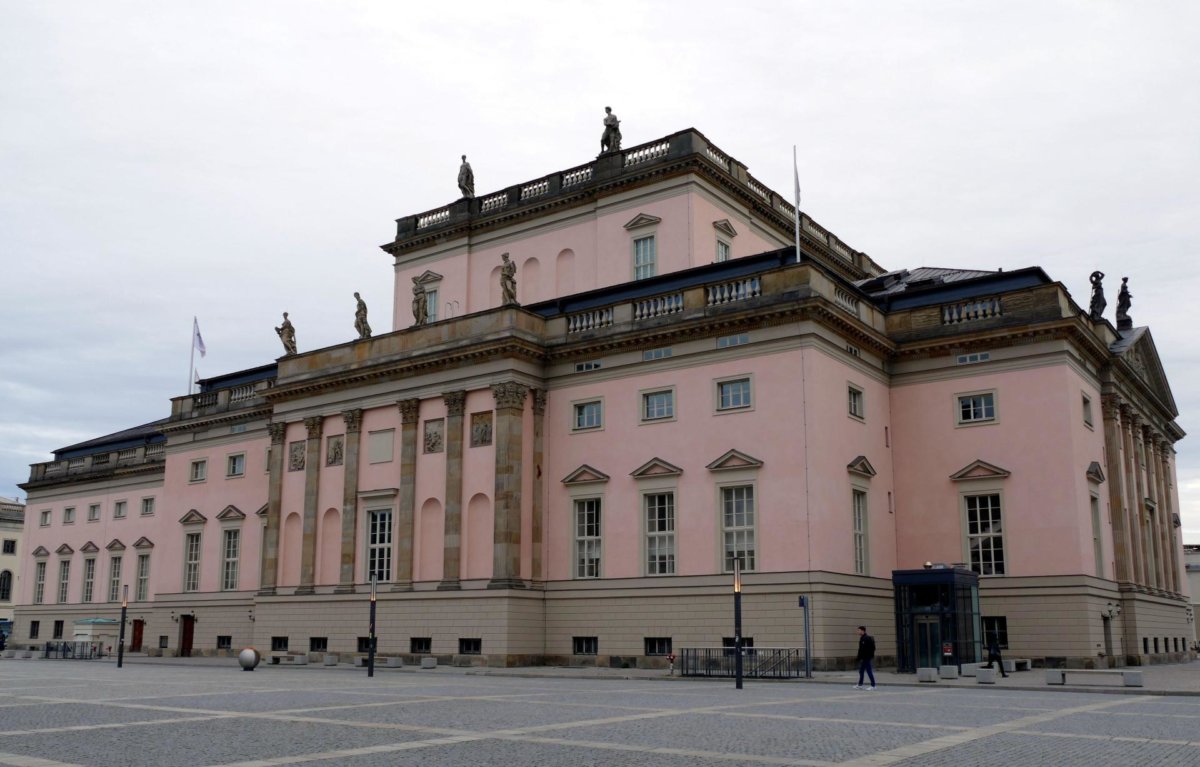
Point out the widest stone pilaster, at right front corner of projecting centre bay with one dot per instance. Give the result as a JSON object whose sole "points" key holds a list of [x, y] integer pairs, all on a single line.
{"points": [[507, 499]]}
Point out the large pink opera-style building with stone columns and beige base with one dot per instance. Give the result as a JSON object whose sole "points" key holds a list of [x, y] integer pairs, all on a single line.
{"points": [[572, 477]]}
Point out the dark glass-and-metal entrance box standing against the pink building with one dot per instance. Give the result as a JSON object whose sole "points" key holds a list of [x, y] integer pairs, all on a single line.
{"points": [[938, 618]]}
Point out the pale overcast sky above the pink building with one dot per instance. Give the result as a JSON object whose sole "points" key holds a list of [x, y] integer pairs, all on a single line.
{"points": [[235, 160]]}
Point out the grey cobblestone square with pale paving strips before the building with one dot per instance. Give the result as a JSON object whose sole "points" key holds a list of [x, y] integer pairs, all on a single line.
{"points": [[207, 712]]}
